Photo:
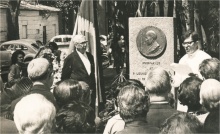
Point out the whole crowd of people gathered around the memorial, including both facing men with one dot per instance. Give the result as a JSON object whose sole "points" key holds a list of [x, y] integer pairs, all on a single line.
{"points": [[68, 106]]}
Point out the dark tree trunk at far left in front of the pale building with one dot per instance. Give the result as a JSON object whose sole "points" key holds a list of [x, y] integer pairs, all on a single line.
{"points": [[13, 12]]}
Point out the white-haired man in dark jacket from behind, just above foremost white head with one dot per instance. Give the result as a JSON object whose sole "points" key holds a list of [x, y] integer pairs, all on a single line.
{"points": [[40, 72]]}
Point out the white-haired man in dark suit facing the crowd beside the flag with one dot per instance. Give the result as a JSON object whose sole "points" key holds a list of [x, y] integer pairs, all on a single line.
{"points": [[79, 65]]}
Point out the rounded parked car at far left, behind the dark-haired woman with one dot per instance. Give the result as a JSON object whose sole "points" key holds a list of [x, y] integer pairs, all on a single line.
{"points": [[29, 46]]}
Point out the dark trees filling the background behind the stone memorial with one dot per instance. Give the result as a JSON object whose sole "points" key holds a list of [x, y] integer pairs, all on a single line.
{"points": [[200, 16]]}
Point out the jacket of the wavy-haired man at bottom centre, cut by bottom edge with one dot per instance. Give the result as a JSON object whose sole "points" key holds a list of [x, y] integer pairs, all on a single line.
{"points": [[138, 127]]}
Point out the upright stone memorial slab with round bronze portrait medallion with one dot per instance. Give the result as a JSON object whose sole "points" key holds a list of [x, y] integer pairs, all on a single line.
{"points": [[151, 44]]}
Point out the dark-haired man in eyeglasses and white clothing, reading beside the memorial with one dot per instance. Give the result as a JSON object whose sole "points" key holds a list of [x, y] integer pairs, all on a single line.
{"points": [[193, 56]]}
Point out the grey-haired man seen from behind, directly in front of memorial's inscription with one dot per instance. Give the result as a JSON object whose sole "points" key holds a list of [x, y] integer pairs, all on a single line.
{"points": [[159, 86]]}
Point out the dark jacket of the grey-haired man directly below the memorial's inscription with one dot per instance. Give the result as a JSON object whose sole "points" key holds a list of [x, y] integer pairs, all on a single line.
{"points": [[158, 113]]}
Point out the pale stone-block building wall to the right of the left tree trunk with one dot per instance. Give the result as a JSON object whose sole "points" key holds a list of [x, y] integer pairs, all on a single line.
{"points": [[31, 25]]}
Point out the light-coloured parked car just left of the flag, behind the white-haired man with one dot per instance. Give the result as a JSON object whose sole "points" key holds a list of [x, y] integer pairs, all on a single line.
{"points": [[62, 41]]}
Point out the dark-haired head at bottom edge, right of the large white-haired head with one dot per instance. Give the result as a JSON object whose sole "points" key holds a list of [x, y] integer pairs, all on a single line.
{"points": [[75, 117]]}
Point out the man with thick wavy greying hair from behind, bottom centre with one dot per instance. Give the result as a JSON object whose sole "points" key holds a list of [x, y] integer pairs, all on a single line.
{"points": [[134, 104]]}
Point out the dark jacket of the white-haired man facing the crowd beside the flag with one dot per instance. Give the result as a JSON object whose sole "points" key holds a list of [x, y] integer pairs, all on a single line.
{"points": [[73, 68]]}
